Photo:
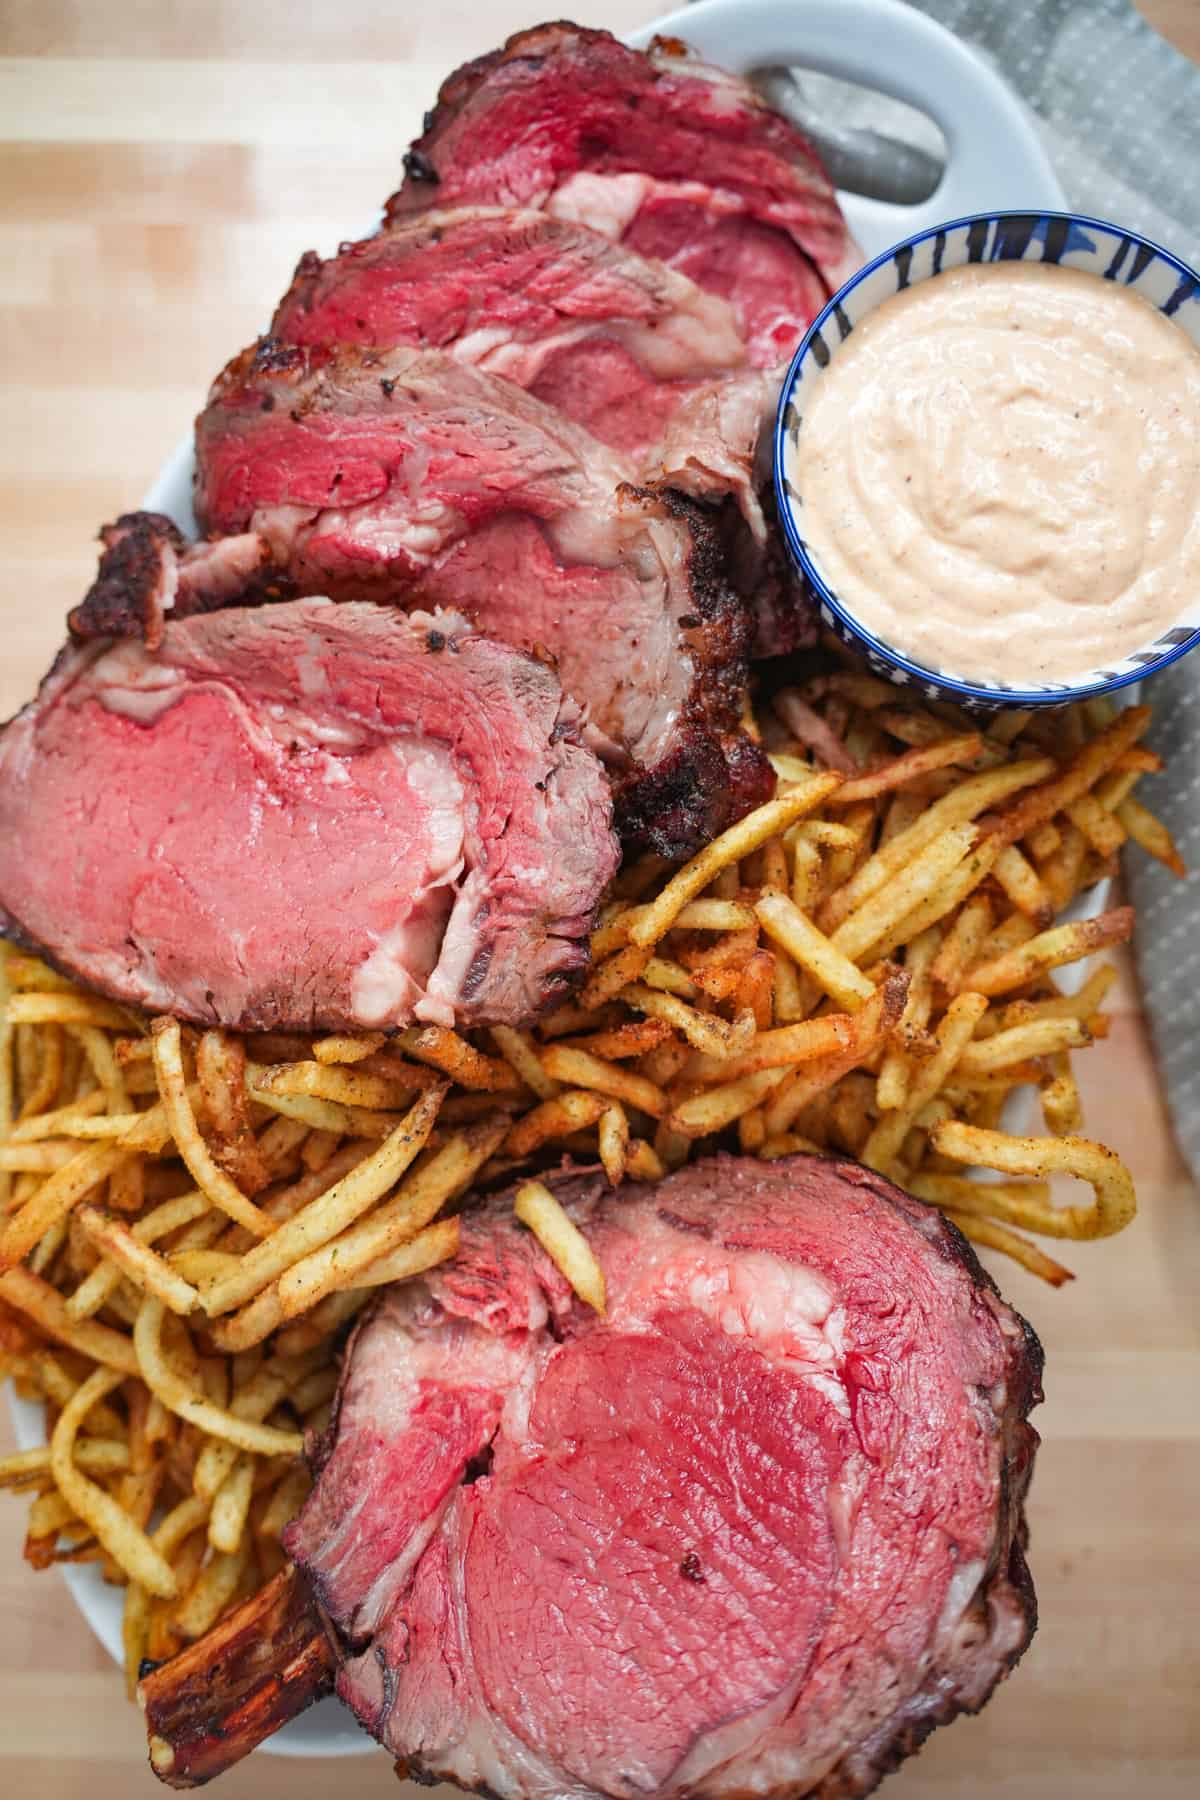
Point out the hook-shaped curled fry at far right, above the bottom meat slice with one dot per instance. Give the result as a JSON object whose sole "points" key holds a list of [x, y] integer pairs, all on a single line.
{"points": [[1115, 1203]]}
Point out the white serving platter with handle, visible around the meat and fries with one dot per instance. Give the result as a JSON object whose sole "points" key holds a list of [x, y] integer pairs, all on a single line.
{"points": [[994, 161]]}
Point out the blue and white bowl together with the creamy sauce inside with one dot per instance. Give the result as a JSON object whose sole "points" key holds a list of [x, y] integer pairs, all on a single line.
{"points": [[989, 460]]}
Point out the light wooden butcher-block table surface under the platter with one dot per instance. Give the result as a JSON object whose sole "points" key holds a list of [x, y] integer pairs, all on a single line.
{"points": [[163, 163]]}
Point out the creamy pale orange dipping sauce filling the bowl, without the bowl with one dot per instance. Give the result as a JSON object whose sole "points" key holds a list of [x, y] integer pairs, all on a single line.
{"points": [[1001, 472]]}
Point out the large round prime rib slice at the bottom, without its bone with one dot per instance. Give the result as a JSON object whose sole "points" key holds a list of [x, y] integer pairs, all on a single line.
{"points": [[757, 1531]]}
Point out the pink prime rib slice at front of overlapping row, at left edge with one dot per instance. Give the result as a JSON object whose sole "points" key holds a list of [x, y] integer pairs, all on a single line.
{"points": [[307, 816]]}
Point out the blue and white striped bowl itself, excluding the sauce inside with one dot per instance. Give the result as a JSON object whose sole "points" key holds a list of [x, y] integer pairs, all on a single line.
{"points": [[1062, 238]]}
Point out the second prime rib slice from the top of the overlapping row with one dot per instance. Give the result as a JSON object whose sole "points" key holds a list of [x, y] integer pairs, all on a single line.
{"points": [[587, 325]]}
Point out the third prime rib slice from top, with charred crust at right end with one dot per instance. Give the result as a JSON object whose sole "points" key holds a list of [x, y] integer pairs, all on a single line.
{"points": [[424, 481]]}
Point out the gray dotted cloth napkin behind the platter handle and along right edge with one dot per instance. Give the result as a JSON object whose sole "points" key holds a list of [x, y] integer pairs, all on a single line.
{"points": [[1120, 116]]}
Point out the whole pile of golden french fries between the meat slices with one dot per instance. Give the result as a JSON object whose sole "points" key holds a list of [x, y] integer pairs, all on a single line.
{"points": [[864, 966]]}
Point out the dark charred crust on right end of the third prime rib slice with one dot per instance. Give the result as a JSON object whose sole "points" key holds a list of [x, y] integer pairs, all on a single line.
{"points": [[717, 773]]}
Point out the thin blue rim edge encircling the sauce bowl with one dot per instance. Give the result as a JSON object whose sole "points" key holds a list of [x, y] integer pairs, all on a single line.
{"points": [[1008, 697]]}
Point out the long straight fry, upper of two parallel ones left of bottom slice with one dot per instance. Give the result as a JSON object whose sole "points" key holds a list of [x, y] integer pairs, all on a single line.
{"points": [[332, 1212]]}
